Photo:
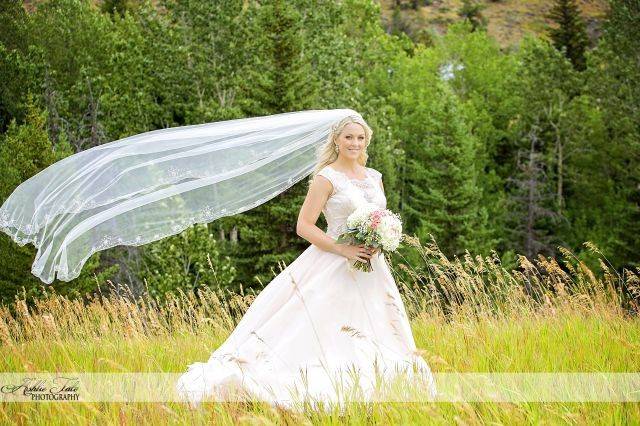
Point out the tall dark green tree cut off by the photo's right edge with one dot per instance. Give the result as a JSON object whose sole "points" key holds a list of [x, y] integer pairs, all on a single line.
{"points": [[612, 85]]}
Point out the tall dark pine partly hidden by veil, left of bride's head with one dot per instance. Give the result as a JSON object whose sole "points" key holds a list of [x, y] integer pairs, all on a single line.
{"points": [[267, 233]]}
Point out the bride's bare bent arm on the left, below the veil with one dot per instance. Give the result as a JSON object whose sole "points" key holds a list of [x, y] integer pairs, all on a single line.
{"points": [[317, 196]]}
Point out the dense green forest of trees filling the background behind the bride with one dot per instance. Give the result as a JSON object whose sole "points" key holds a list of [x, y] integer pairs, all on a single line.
{"points": [[462, 128]]}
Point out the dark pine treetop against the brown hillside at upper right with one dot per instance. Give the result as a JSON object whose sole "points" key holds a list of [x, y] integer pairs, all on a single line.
{"points": [[570, 35]]}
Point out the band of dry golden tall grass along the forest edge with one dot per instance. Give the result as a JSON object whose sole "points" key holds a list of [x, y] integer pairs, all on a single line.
{"points": [[472, 287]]}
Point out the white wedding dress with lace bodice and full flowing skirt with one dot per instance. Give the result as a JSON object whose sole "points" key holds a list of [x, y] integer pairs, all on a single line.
{"points": [[315, 324]]}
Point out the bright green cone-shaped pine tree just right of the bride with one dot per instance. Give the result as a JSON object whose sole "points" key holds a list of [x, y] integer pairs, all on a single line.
{"points": [[441, 195]]}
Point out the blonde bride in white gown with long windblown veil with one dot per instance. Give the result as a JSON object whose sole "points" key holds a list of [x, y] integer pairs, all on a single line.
{"points": [[321, 330]]}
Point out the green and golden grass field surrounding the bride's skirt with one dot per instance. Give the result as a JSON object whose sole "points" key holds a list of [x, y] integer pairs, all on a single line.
{"points": [[468, 315]]}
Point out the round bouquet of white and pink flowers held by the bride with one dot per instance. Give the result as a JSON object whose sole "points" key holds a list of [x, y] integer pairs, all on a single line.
{"points": [[374, 227]]}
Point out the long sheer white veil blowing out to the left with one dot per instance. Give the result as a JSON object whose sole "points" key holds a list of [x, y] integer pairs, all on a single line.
{"points": [[155, 184]]}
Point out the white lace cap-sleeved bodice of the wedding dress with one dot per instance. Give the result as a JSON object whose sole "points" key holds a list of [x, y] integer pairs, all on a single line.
{"points": [[347, 195]]}
